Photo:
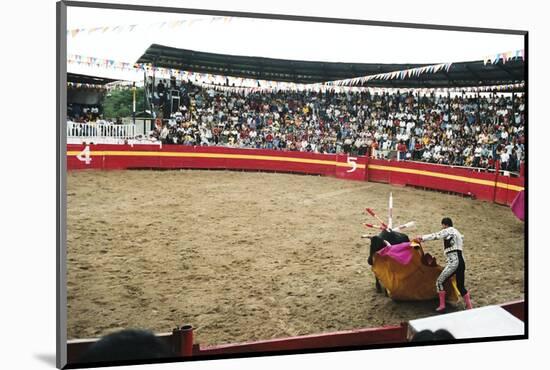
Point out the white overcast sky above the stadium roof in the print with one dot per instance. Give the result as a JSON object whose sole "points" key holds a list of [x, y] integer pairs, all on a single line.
{"points": [[276, 39]]}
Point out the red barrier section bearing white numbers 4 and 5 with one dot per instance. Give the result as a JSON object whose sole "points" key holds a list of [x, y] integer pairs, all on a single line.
{"points": [[112, 156]]}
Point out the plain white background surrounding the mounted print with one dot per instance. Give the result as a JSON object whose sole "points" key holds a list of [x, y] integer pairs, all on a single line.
{"points": [[27, 197]]}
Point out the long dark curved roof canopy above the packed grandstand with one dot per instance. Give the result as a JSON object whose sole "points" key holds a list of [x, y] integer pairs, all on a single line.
{"points": [[462, 74]]}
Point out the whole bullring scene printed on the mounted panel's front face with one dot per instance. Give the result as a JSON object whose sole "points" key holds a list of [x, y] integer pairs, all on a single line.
{"points": [[219, 201]]}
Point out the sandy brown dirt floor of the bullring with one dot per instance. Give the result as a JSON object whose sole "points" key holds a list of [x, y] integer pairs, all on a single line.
{"points": [[245, 256]]}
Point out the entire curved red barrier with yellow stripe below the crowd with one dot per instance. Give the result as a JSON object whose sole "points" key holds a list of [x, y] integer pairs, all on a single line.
{"points": [[484, 186]]}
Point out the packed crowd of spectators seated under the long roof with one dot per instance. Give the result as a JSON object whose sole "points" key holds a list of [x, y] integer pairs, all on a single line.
{"points": [[463, 131]]}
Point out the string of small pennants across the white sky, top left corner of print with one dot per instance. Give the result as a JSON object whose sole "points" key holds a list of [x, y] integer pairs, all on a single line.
{"points": [[139, 27]]}
